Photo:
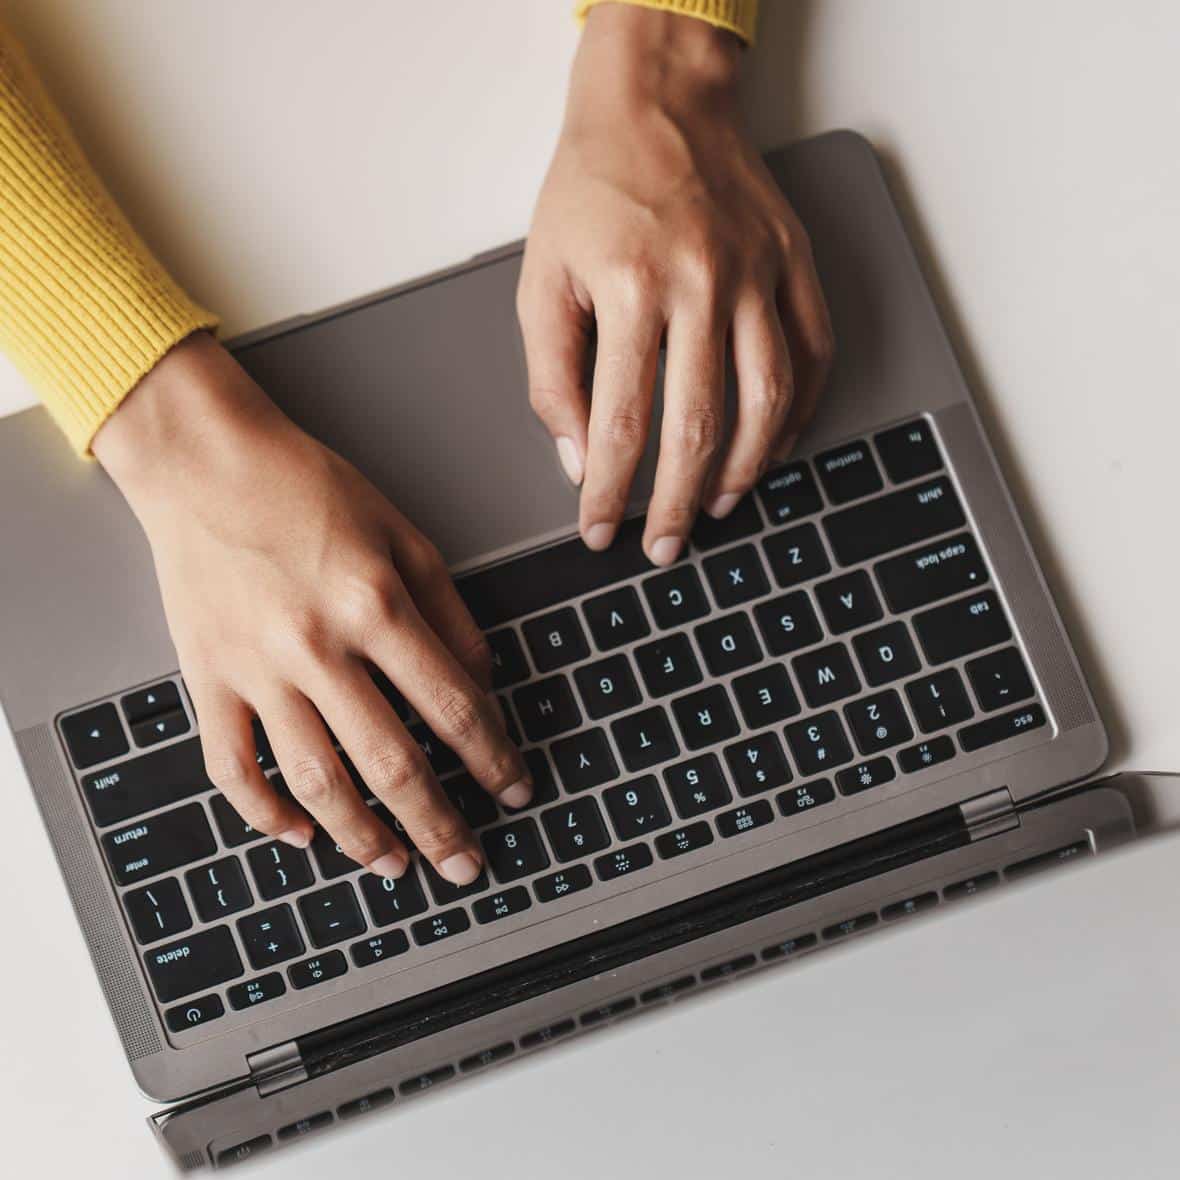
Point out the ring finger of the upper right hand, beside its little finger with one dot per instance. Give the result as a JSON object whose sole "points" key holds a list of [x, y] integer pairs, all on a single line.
{"points": [[765, 390]]}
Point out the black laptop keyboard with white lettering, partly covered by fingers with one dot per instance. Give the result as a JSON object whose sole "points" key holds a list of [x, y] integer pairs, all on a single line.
{"points": [[837, 632]]}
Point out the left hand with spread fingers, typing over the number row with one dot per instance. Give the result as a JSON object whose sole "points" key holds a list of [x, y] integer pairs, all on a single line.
{"points": [[286, 576]]}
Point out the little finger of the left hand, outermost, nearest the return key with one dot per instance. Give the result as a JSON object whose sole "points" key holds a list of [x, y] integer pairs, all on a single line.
{"points": [[227, 742]]}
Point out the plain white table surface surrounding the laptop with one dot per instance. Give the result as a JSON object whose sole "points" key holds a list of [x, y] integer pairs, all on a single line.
{"points": [[284, 155]]}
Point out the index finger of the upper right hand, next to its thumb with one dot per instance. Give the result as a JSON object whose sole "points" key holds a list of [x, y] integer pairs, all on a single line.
{"points": [[626, 363]]}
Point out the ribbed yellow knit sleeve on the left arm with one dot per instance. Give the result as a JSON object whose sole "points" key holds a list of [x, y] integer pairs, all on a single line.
{"points": [[86, 310]]}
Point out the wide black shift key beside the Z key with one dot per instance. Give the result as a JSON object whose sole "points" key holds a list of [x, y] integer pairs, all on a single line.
{"points": [[893, 522]]}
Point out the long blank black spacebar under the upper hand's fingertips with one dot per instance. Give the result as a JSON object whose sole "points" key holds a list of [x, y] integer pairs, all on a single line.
{"points": [[523, 586]]}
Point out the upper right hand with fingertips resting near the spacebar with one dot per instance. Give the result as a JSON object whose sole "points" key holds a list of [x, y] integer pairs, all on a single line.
{"points": [[659, 220]]}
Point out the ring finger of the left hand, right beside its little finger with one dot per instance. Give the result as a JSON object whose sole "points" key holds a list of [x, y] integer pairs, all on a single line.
{"points": [[318, 779]]}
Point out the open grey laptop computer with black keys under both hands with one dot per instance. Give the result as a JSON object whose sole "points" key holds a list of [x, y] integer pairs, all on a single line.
{"points": [[851, 702]]}
